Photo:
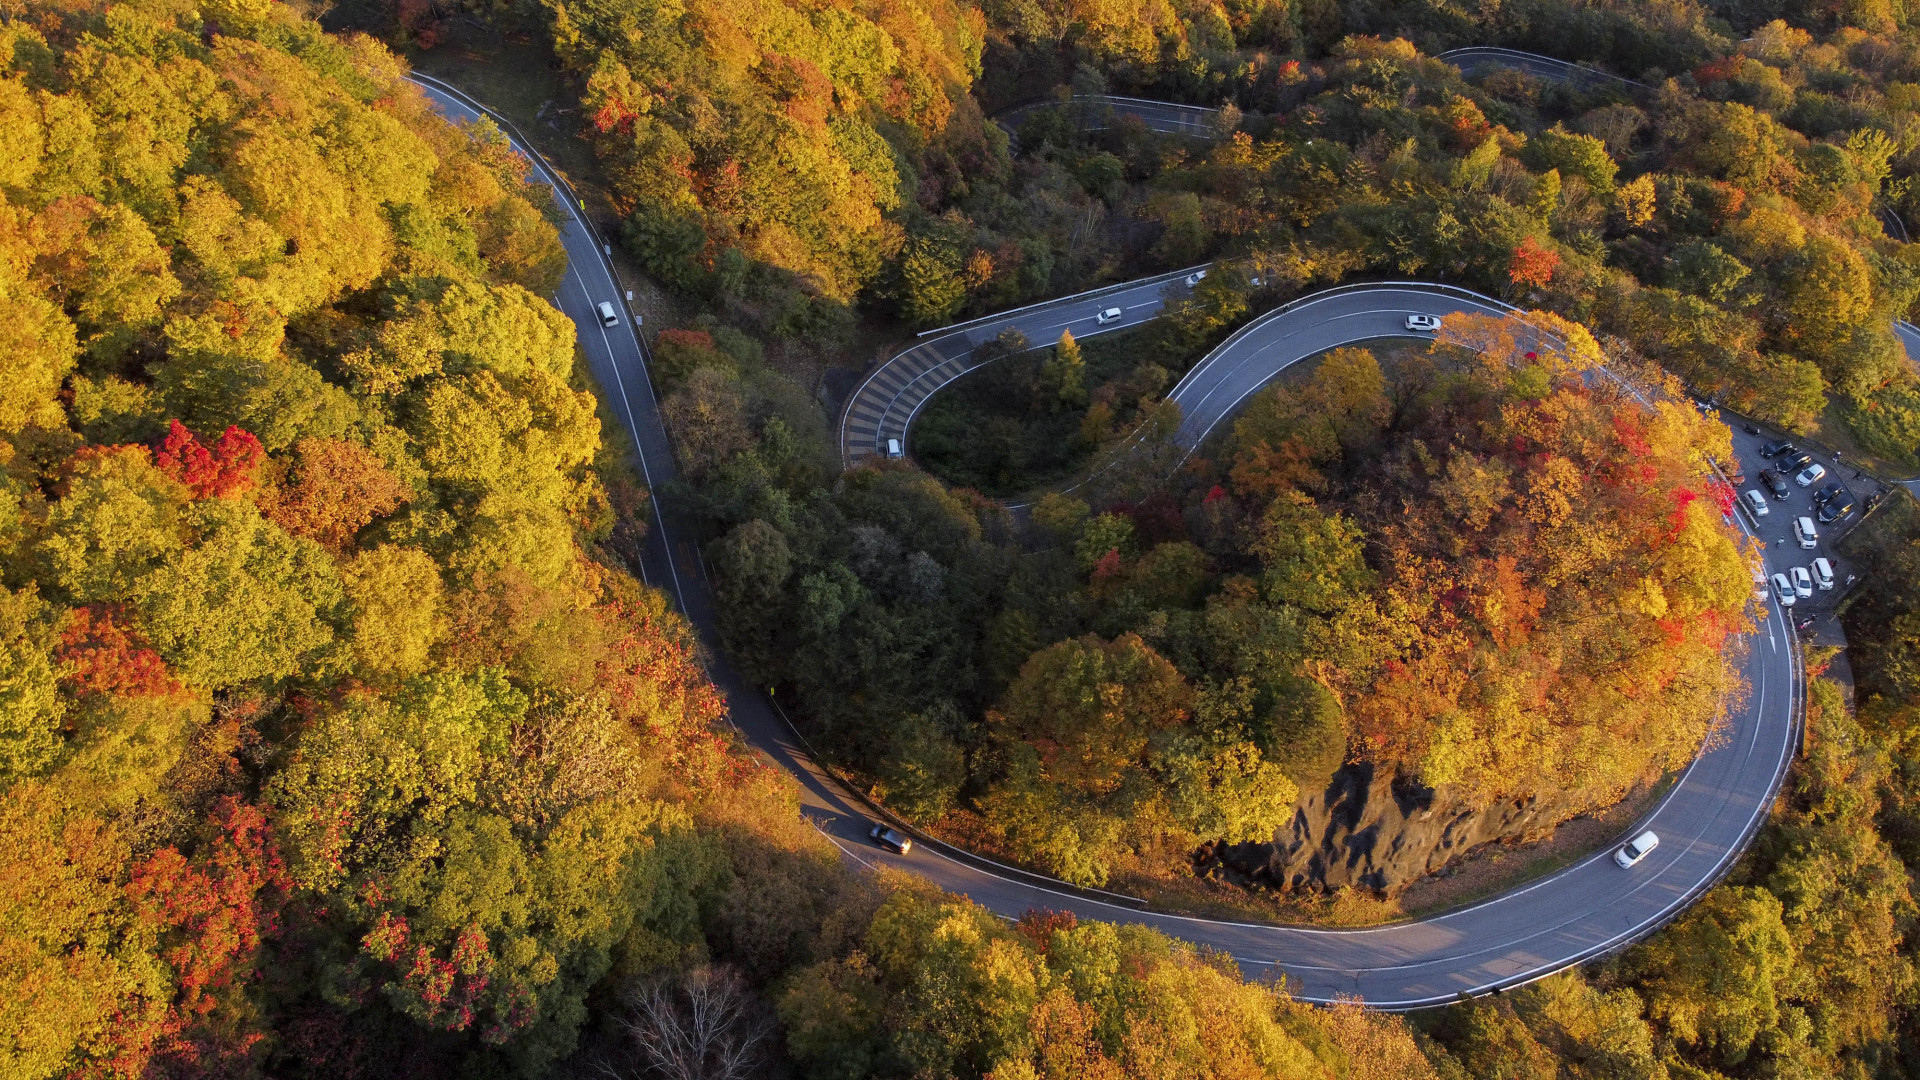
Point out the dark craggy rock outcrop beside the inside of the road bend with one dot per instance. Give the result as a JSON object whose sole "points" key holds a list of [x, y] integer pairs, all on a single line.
{"points": [[1380, 831]]}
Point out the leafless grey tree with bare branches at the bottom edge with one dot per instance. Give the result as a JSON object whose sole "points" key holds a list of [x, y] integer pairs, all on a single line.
{"points": [[702, 1025]]}
